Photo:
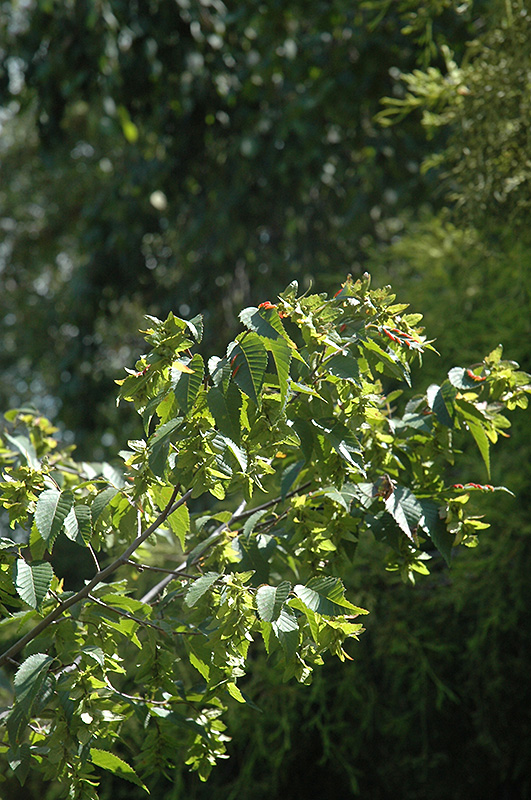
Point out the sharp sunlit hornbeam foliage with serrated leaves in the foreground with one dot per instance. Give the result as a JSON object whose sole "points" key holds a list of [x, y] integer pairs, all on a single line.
{"points": [[227, 526]]}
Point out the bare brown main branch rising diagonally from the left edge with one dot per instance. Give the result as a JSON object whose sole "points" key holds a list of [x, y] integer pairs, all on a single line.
{"points": [[100, 576]]}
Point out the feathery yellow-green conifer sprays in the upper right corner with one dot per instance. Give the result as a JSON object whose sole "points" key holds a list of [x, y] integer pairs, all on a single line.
{"points": [[485, 101]]}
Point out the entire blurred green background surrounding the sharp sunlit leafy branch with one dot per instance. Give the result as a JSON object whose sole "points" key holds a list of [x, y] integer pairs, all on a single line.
{"points": [[197, 156]]}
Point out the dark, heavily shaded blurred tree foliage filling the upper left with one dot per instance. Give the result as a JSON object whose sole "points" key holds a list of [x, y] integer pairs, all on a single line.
{"points": [[183, 156]]}
